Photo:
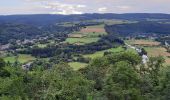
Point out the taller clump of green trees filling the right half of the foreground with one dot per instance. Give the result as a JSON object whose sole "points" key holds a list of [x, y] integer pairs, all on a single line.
{"points": [[123, 77]]}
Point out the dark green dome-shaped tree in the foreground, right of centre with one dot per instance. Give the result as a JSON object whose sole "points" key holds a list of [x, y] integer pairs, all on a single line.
{"points": [[122, 82]]}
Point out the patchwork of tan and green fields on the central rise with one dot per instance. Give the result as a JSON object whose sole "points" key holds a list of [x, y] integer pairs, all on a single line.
{"points": [[86, 35]]}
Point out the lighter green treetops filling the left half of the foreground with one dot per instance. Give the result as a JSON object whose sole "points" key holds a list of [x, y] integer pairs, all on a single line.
{"points": [[58, 83]]}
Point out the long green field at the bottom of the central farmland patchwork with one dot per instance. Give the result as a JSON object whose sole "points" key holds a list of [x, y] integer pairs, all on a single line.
{"points": [[82, 41]]}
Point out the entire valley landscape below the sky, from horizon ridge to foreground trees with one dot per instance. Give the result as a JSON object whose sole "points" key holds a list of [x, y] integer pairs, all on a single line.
{"points": [[85, 57]]}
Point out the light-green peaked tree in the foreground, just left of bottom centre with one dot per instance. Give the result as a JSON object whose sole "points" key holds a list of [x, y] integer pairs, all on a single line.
{"points": [[62, 83]]}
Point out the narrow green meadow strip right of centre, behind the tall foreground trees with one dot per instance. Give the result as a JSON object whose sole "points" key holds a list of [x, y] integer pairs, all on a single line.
{"points": [[101, 53]]}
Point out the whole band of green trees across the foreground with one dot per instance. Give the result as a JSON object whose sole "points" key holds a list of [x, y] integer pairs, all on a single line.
{"points": [[119, 76]]}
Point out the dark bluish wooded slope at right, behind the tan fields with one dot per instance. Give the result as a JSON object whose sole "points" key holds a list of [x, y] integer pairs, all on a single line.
{"points": [[138, 28]]}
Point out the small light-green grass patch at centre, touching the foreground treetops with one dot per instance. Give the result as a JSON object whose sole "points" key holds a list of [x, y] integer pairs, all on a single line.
{"points": [[77, 65]]}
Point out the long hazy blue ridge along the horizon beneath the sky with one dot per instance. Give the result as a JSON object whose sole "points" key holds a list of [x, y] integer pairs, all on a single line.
{"points": [[44, 19]]}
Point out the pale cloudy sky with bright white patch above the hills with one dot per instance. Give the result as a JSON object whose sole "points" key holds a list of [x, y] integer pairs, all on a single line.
{"points": [[9, 7]]}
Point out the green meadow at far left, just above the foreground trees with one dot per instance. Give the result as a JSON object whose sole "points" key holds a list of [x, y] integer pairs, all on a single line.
{"points": [[22, 58]]}
